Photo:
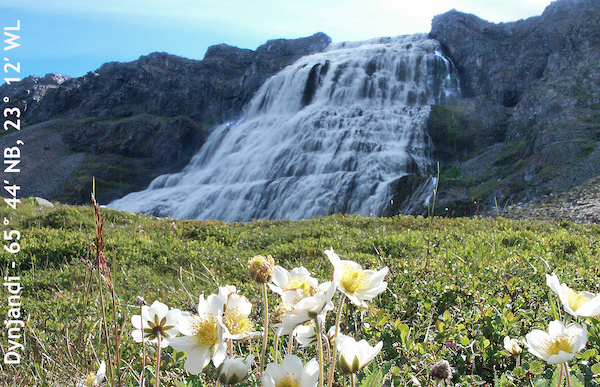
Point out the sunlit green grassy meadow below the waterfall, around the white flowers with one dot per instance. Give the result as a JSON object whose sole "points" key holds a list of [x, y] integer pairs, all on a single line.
{"points": [[456, 287]]}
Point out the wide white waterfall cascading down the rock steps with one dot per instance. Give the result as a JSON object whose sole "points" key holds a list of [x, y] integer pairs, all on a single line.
{"points": [[331, 133]]}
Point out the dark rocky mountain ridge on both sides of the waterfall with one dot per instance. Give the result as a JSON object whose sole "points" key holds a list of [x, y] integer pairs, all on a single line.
{"points": [[527, 125]]}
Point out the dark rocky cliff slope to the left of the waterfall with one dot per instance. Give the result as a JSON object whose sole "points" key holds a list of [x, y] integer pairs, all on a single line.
{"points": [[126, 123]]}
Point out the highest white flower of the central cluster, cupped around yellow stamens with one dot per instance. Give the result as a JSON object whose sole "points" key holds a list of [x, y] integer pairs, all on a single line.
{"points": [[357, 284]]}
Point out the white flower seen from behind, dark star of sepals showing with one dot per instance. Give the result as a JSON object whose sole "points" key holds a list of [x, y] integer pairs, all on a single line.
{"points": [[156, 319]]}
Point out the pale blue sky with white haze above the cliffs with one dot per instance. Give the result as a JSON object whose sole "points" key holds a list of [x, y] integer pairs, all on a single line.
{"points": [[72, 37]]}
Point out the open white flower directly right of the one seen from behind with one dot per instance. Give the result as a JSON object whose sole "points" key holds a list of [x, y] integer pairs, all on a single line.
{"points": [[203, 336]]}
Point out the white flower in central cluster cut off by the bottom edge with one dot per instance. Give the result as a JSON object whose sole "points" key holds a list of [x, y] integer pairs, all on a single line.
{"points": [[291, 373]]}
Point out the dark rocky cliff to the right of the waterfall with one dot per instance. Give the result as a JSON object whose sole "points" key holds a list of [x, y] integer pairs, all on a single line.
{"points": [[529, 123]]}
